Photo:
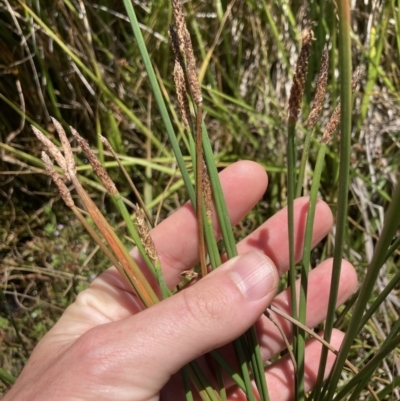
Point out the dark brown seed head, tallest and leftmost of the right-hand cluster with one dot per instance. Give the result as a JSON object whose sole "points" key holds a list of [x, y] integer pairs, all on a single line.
{"points": [[296, 92]]}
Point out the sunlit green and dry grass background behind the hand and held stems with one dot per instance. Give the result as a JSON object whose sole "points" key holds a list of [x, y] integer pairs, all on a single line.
{"points": [[78, 63]]}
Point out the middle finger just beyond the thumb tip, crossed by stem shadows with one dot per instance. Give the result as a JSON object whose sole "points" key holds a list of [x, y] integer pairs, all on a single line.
{"points": [[271, 238]]}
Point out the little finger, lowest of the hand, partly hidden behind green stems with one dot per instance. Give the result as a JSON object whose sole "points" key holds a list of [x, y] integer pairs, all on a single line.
{"points": [[280, 375]]}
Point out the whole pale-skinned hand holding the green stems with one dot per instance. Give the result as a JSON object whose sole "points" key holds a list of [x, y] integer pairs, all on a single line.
{"points": [[105, 348]]}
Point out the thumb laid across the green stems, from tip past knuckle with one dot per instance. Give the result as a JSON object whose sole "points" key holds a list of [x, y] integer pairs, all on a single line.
{"points": [[215, 311]]}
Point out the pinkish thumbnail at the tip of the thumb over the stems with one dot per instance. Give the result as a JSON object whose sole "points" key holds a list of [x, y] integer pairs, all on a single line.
{"points": [[254, 274]]}
